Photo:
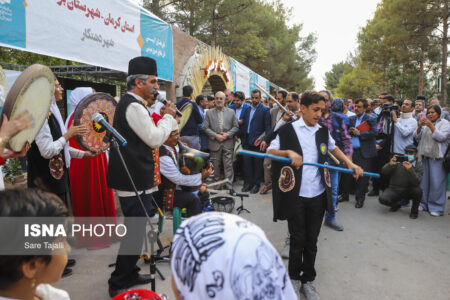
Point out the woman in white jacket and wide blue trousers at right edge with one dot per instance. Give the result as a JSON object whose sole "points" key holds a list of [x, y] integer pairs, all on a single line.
{"points": [[433, 134]]}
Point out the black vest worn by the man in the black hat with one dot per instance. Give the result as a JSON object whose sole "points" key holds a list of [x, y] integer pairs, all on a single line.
{"points": [[137, 155]]}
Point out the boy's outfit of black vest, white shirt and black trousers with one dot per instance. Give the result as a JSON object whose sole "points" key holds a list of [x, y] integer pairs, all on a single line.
{"points": [[302, 196]]}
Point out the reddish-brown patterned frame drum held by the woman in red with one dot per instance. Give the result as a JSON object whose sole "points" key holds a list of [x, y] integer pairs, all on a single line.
{"points": [[103, 104]]}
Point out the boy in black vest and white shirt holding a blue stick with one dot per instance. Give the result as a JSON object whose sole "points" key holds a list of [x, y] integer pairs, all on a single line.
{"points": [[302, 193]]}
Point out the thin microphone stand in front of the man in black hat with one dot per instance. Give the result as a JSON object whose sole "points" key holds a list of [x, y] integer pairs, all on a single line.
{"points": [[152, 235]]}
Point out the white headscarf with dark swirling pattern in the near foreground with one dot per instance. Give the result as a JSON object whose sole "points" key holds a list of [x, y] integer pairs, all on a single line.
{"points": [[222, 256]]}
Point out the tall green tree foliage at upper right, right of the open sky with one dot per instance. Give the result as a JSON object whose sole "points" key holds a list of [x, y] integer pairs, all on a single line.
{"points": [[400, 49]]}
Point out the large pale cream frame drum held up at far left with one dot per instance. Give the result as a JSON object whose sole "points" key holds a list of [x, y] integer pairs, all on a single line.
{"points": [[33, 91]]}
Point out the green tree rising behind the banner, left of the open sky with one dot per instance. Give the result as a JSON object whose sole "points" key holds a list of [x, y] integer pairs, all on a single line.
{"points": [[253, 32]]}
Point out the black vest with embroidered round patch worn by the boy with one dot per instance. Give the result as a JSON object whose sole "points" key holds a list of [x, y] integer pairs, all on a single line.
{"points": [[286, 179]]}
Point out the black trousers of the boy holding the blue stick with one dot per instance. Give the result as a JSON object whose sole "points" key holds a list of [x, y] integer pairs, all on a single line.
{"points": [[304, 228]]}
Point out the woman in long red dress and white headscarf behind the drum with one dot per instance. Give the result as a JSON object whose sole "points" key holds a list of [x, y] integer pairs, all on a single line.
{"points": [[90, 195]]}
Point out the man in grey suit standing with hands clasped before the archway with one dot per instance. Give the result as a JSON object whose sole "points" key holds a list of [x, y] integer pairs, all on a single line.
{"points": [[221, 125]]}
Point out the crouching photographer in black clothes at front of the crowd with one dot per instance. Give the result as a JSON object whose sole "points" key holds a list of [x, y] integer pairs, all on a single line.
{"points": [[405, 174]]}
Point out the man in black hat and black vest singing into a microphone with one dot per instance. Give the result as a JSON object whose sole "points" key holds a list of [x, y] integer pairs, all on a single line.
{"points": [[133, 121]]}
